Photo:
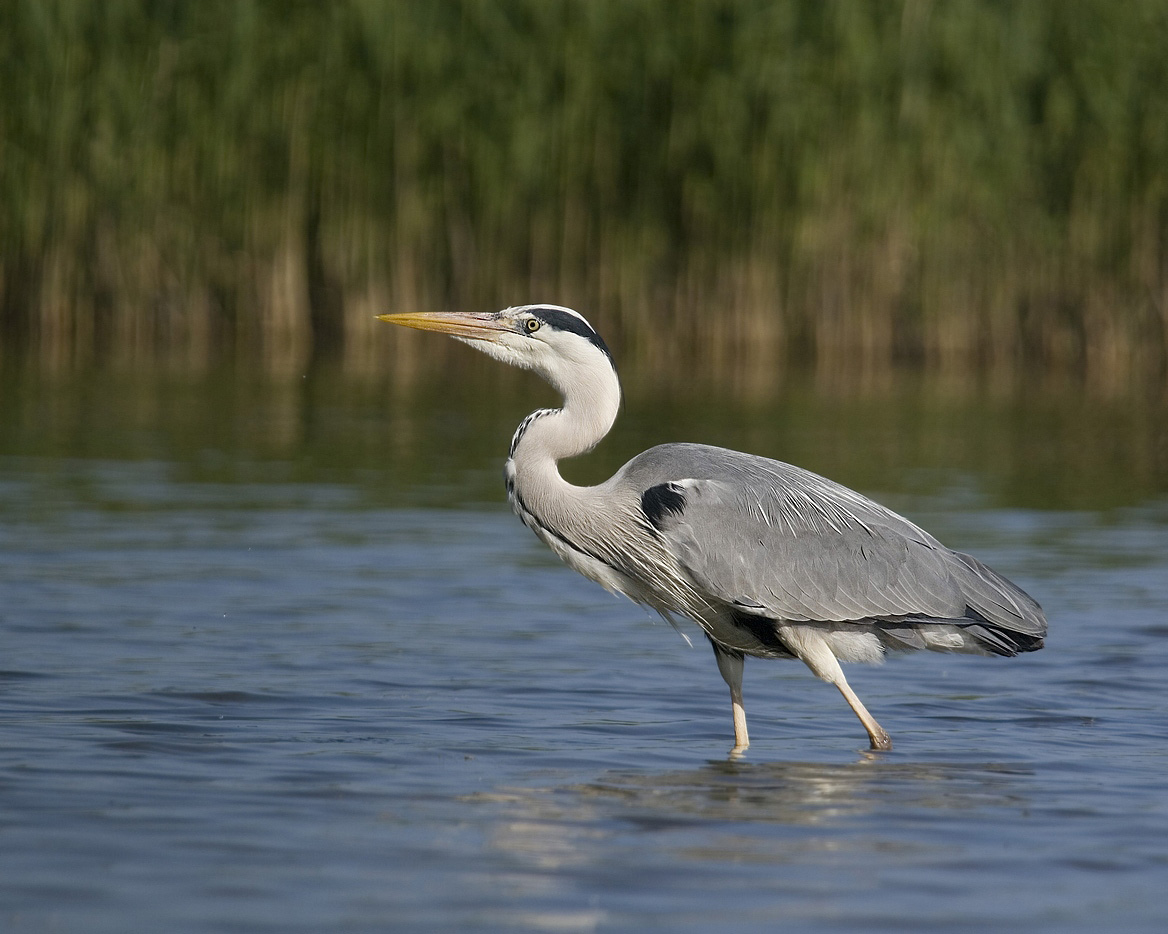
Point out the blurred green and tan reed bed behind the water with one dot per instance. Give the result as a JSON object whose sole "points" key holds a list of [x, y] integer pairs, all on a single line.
{"points": [[970, 186]]}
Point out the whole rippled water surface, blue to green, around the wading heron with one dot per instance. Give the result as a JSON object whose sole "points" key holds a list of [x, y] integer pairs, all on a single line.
{"points": [[255, 680]]}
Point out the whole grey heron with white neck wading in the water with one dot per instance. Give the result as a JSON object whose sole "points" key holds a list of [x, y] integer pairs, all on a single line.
{"points": [[769, 560]]}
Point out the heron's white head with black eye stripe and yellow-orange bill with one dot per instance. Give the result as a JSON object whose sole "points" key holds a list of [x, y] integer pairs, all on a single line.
{"points": [[557, 343]]}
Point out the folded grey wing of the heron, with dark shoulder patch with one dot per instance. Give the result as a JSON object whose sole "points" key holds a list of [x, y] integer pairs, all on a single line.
{"points": [[771, 540]]}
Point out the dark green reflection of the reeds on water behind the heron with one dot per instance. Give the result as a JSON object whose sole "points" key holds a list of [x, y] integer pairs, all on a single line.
{"points": [[437, 440]]}
